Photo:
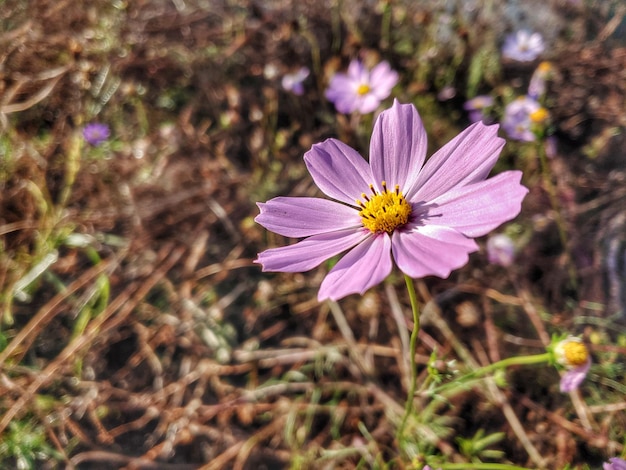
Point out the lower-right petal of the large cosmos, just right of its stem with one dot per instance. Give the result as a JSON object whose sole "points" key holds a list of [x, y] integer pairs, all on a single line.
{"points": [[431, 250]]}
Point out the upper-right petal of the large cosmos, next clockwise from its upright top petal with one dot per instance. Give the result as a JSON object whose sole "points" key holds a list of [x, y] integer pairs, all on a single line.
{"points": [[466, 159]]}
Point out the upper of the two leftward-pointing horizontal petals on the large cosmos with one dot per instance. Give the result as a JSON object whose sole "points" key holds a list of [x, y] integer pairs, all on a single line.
{"points": [[305, 216]]}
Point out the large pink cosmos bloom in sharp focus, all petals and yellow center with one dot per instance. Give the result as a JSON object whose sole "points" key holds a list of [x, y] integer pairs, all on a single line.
{"points": [[396, 208]]}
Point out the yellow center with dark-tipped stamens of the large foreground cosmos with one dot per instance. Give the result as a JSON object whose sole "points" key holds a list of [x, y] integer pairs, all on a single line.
{"points": [[384, 211]]}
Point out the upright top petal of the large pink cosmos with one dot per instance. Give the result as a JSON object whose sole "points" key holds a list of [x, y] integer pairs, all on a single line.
{"points": [[398, 146]]}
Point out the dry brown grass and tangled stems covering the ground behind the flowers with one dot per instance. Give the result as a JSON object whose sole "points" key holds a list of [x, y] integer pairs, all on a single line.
{"points": [[136, 331]]}
